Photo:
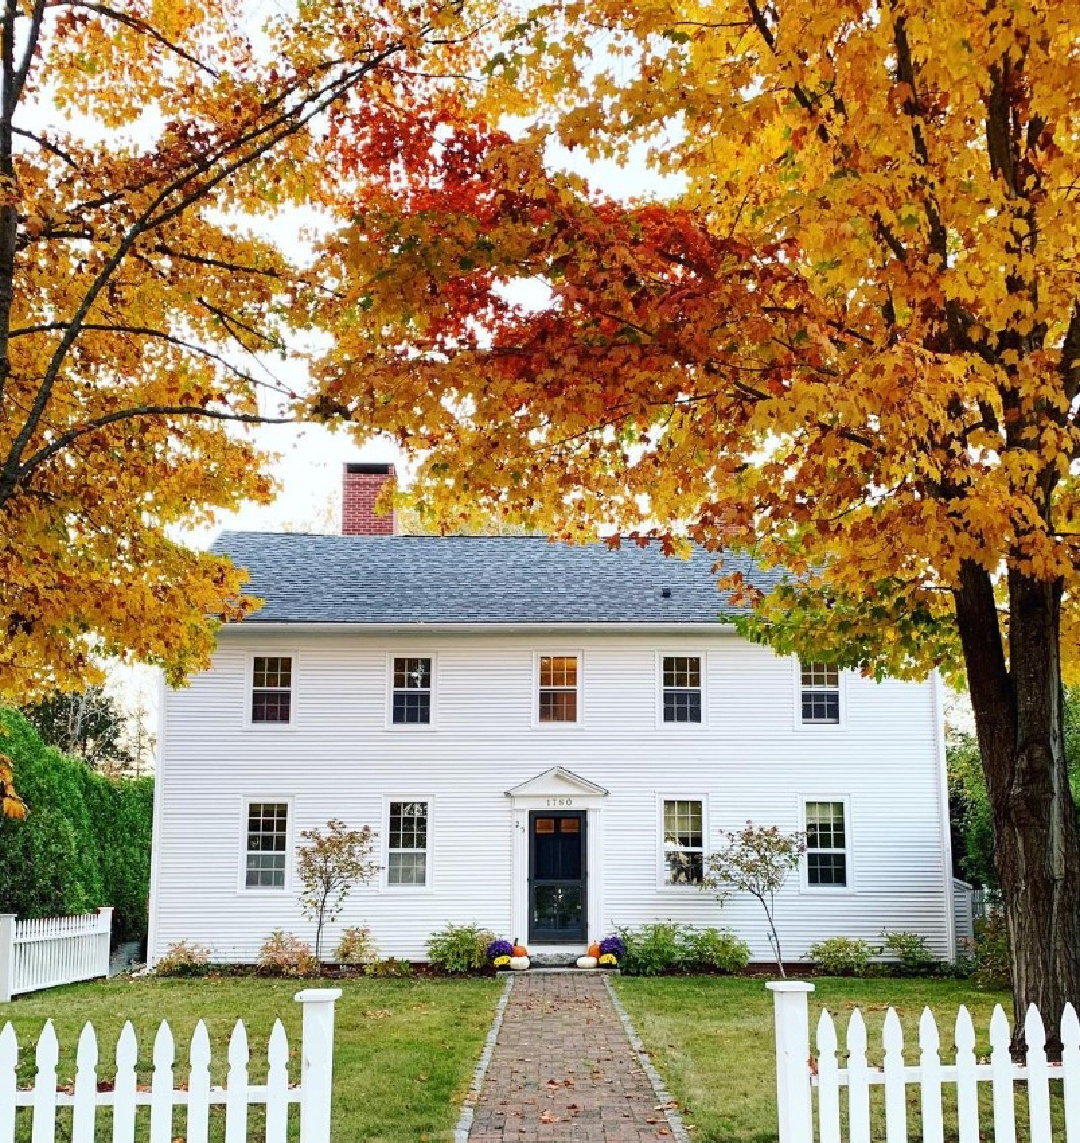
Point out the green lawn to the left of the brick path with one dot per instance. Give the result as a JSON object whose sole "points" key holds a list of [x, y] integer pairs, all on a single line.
{"points": [[405, 1051]]}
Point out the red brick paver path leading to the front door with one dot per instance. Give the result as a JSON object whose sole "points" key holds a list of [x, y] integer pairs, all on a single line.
{"points": [[564, 1072]]}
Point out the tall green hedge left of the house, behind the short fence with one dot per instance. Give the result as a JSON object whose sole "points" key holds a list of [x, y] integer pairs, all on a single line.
{"points": [[85, 841]]}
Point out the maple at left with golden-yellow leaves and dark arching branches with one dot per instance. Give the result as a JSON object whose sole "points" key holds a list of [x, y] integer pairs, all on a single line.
{"points": [[147, 150]]}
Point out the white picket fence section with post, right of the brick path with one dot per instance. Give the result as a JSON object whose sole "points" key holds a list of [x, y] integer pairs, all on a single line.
{"points": [[802, 1072]]}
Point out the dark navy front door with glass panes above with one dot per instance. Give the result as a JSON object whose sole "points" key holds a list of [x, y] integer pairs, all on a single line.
{"points": [[557, 878]]}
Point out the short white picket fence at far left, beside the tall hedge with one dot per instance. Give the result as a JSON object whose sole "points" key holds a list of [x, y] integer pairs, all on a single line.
{"points": [[43, 954]]}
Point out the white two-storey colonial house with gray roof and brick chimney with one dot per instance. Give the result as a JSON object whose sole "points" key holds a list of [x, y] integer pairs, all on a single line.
{"points": [[549, 741]]}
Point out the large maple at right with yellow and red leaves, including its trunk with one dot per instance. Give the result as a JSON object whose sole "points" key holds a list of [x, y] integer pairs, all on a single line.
{"points": [[850, 343]]}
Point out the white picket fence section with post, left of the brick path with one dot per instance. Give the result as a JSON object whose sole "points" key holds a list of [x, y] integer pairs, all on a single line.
{"points": [[49, 1102]]}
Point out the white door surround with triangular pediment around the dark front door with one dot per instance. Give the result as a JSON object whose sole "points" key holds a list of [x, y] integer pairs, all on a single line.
{"points": [[557, 789]]}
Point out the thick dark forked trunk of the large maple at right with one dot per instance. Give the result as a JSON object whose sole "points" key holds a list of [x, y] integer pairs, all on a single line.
{"points": [[1020, 722]]}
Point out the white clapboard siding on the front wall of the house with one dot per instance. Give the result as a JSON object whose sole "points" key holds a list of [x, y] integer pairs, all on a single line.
{"points": [[751, 760]]}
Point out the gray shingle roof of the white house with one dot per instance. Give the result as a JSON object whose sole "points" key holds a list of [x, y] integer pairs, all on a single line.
{"points": [[435, 580]]}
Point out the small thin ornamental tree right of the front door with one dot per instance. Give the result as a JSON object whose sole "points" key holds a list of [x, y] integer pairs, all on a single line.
{"points": [[756, 860]]}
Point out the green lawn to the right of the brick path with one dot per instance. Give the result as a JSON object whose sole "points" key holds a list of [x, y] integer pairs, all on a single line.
{"points": [[713, 1041]]}
